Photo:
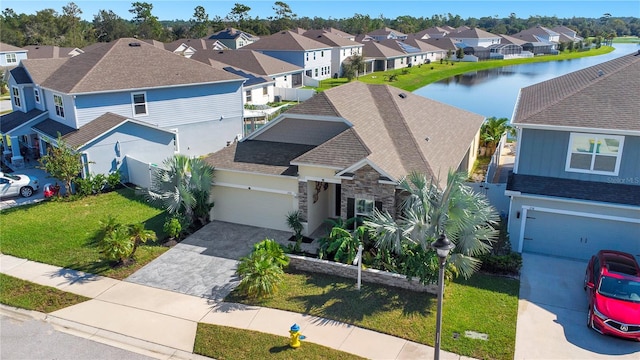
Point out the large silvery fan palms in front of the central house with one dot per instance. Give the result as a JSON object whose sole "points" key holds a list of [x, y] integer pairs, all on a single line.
{"points": [[463, 215]]}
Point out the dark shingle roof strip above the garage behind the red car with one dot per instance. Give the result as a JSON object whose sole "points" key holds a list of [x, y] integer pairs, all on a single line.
{"points": [[575, 189]]}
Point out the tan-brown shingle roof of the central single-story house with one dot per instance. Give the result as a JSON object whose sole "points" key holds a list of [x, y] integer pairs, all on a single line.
{"points": [[389, 127]]}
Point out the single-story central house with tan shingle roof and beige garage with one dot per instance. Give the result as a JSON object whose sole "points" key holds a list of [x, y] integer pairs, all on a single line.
{"points": [[340, 154]]}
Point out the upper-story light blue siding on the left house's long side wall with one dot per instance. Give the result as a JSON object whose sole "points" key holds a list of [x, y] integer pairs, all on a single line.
{"points": [[168, 107]]}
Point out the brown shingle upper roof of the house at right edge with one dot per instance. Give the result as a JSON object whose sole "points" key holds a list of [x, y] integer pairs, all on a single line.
{"points": [[602, 96]]}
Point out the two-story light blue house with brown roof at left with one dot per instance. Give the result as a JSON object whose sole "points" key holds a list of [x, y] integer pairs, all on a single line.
{"points": [[122, 99]]}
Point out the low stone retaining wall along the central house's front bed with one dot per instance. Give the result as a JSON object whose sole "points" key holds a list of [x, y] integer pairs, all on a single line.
{"points": [[351, 271]]}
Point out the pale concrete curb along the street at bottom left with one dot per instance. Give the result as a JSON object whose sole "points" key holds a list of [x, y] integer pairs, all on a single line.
{"points": [[106, 337]]}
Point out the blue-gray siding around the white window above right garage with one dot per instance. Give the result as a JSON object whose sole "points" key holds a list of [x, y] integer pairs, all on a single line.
{"points": [[544, 153]]}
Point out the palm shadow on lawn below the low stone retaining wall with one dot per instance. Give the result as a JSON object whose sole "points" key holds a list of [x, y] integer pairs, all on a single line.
{"points": [[342, 301]]}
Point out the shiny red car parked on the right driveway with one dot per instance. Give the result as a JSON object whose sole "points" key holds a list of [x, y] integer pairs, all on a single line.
{"points": [[612, 283]]}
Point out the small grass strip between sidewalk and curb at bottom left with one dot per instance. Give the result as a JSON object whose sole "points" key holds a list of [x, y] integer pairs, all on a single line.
{"points": [[27, 295]]}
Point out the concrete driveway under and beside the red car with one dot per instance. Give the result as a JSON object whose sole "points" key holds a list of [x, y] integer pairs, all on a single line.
{"points": [[552, 315]]}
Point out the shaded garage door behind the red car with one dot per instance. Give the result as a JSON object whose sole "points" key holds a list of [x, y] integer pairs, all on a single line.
{"points": [[577, 237]]}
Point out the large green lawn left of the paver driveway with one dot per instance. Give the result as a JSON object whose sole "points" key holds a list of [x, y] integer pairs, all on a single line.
{"points": [[63, 233]]}
